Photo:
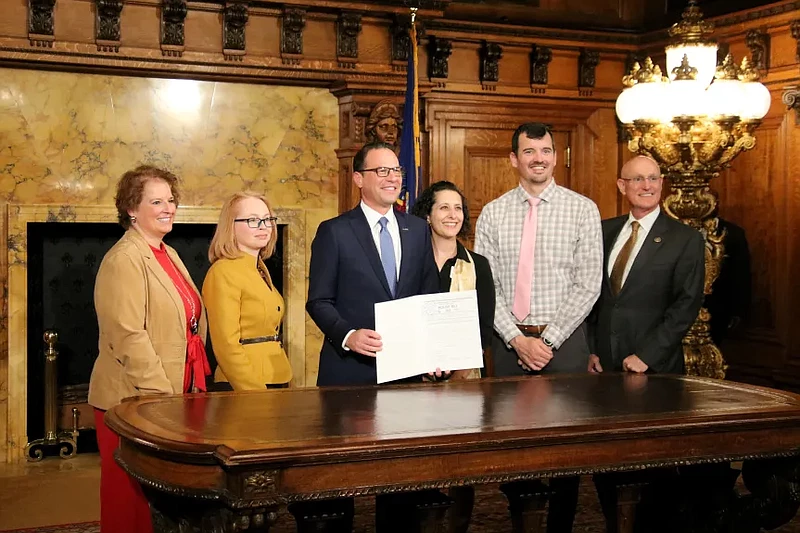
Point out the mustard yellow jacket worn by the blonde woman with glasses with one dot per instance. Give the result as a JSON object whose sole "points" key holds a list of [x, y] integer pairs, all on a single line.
{"points": [[241, 306]]}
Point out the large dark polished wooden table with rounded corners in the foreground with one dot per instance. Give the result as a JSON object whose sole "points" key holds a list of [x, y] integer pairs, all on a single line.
{"points": [[235, 458]]}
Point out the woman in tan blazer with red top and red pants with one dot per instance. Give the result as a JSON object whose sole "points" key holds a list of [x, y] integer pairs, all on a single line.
{"points": [[152, 330]]}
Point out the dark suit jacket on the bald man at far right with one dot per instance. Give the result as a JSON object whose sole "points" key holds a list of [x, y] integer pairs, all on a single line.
{"points": [[658, 302]]}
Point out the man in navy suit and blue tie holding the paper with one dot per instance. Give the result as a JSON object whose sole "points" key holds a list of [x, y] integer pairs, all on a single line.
{"points": [[368, 255]]}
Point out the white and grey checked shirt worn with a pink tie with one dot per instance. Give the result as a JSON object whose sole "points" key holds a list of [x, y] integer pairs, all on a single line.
{"points": [[567, 264]]}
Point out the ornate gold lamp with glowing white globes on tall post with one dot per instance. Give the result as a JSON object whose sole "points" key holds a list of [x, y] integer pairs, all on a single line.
{"points": [[694, 122]]}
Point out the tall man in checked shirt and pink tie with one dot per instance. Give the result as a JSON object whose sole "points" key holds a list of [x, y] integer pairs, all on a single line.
{"points": [[540, 330]]}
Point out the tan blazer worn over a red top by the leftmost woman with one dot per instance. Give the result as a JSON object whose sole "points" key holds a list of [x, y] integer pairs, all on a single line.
{"points": [[142, 325]]}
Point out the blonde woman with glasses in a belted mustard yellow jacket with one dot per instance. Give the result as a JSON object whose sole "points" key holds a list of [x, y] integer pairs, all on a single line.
{"points": [[244, 308]]}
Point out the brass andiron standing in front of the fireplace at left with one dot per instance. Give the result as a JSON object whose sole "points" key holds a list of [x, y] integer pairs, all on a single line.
{"points": [[66, 440]]}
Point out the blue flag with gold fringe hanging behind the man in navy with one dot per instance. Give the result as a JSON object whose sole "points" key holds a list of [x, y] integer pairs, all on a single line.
{"points": [[409, 141]]}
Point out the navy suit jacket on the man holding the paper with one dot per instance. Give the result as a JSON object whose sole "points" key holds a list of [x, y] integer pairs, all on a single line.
{"points": [[346, 280]]}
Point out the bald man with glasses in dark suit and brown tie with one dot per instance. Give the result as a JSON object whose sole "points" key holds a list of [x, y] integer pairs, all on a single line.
{"points": [[647, 304]]}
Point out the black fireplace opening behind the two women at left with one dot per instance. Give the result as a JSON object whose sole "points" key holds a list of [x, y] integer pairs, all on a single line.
{"points": [[63, 259]]}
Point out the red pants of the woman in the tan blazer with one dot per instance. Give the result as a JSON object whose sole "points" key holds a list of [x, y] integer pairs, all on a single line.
{"points": [[123, 507]]}
